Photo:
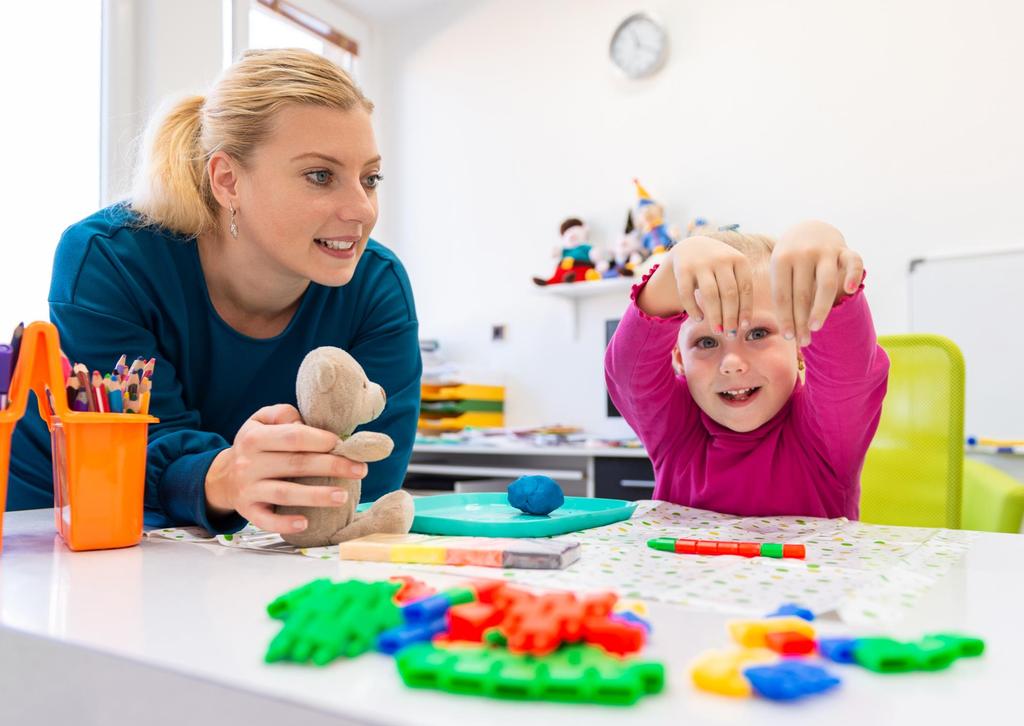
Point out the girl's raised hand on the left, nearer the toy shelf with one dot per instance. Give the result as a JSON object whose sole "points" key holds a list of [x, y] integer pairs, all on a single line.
{"points": [[704, 278]]}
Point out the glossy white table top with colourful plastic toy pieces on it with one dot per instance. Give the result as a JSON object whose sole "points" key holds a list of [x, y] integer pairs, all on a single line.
{"points": [[168, 632]]}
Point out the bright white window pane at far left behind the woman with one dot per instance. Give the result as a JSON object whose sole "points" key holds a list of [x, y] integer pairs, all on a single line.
{"points": [[51, 180]]}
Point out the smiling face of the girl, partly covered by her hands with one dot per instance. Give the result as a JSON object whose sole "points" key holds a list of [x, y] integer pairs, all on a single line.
{"points": [[740, 382]]}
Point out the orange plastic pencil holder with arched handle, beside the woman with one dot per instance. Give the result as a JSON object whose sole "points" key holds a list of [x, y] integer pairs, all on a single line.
{"points": [[99, 459]]}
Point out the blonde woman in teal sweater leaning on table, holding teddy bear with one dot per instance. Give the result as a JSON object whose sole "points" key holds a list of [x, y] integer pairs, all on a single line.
{"points": [[246, 245]]}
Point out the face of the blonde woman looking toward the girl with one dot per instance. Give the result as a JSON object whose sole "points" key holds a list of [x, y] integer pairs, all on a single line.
{"points": [[308, 198]]}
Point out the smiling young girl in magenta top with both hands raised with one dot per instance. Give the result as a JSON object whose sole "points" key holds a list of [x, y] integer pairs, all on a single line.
{"points": [[706, 366]]}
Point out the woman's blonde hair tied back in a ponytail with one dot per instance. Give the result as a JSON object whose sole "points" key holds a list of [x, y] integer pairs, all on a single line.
{"points": [[173, 186]]}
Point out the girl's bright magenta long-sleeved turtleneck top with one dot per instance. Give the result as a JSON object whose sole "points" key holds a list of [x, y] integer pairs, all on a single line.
{"points": [[805, 461]]}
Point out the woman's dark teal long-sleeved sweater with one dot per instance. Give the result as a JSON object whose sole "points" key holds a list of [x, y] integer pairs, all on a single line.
{"points": [[120, 289]]}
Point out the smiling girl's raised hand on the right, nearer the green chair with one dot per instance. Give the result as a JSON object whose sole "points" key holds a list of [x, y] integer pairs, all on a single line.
{"points": [[812, 271]]}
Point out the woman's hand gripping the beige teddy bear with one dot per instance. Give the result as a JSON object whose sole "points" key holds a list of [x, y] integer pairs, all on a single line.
{"points": [[273, 446]]}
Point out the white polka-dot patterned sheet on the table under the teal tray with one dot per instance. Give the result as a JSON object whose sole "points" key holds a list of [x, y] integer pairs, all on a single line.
{"points": [[867, 574]]}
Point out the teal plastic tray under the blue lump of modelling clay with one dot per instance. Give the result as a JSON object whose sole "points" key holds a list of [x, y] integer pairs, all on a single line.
{"points": [[490, 515]]}
